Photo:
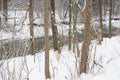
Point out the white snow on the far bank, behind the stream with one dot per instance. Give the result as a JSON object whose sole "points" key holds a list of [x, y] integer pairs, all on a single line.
{"points": [[39, 29]]}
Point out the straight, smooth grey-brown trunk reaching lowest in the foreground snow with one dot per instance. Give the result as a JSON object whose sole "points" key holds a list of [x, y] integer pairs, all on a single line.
{"points": [[46, 24]]}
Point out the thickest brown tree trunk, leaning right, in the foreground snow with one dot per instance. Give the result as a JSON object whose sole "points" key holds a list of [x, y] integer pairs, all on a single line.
{"points": [[86, 37]]}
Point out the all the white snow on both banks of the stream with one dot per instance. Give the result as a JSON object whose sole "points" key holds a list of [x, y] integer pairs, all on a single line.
{"points": [[63, 66]]}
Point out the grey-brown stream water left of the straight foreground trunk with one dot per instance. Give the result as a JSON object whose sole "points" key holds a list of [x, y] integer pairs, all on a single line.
{"points": [[14, 48]]}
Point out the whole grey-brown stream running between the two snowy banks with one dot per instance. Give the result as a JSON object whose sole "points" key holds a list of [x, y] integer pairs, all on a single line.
{"points": [[19, 47]]}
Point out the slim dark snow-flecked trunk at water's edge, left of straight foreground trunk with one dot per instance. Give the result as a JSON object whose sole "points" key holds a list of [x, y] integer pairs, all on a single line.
{"points": [[31, 27]]}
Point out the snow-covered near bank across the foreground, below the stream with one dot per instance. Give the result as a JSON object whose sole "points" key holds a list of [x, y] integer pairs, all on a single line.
{"points": [[63, 67]]}
